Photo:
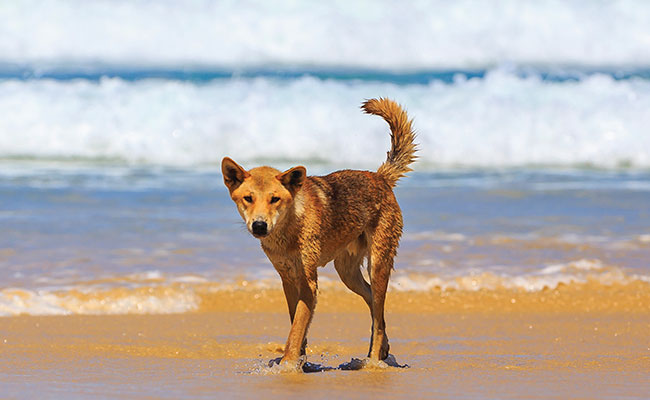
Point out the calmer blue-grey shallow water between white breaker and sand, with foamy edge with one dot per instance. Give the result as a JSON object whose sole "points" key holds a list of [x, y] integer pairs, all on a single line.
{"points": [[102, 239]]}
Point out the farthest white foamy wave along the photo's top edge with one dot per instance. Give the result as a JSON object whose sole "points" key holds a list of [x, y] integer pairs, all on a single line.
{"points": [[377, 34]]}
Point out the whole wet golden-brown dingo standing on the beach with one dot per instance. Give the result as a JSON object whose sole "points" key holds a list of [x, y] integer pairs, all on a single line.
{"points": [[347, 216]]}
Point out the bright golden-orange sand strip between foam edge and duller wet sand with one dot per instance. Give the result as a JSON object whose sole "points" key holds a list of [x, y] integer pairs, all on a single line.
{"points": [[591, 296]]}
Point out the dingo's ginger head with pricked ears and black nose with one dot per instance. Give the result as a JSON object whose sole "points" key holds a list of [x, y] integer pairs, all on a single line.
{"points": [[263, 195]]}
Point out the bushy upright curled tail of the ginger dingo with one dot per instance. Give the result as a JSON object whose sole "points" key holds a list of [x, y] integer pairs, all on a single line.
{"points": [[403, 147]]}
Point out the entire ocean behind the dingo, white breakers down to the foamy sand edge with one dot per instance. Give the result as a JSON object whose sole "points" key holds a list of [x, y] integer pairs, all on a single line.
{"points": [[532, 118]]}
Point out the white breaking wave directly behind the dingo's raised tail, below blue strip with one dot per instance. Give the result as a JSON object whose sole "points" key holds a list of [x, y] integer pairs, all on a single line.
{"points": [[501, 120]]}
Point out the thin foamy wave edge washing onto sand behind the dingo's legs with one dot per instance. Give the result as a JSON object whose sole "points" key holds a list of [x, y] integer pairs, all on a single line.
{"points": [[178, 294]]}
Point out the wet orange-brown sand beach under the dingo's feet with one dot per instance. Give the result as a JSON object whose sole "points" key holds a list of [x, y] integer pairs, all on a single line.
{"points": [[572, 342]]}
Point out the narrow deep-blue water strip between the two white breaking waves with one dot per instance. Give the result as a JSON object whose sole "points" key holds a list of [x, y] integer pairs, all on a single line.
{"points": [[205, 74]]}
